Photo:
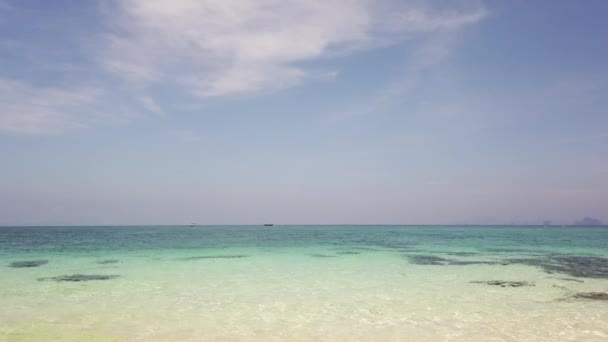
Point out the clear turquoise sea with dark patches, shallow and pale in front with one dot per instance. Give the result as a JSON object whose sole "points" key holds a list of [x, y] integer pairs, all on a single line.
{"points": [[303, 283]]}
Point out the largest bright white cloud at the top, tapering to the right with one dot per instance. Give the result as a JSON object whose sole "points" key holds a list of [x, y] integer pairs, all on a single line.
{"points": [[214, 48]]}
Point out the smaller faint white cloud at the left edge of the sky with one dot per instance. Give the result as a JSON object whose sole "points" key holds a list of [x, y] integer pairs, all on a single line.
{"points": [[26, 109]]}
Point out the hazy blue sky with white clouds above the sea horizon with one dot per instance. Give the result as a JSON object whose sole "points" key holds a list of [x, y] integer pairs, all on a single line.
{"points": [[303, 111]]}
